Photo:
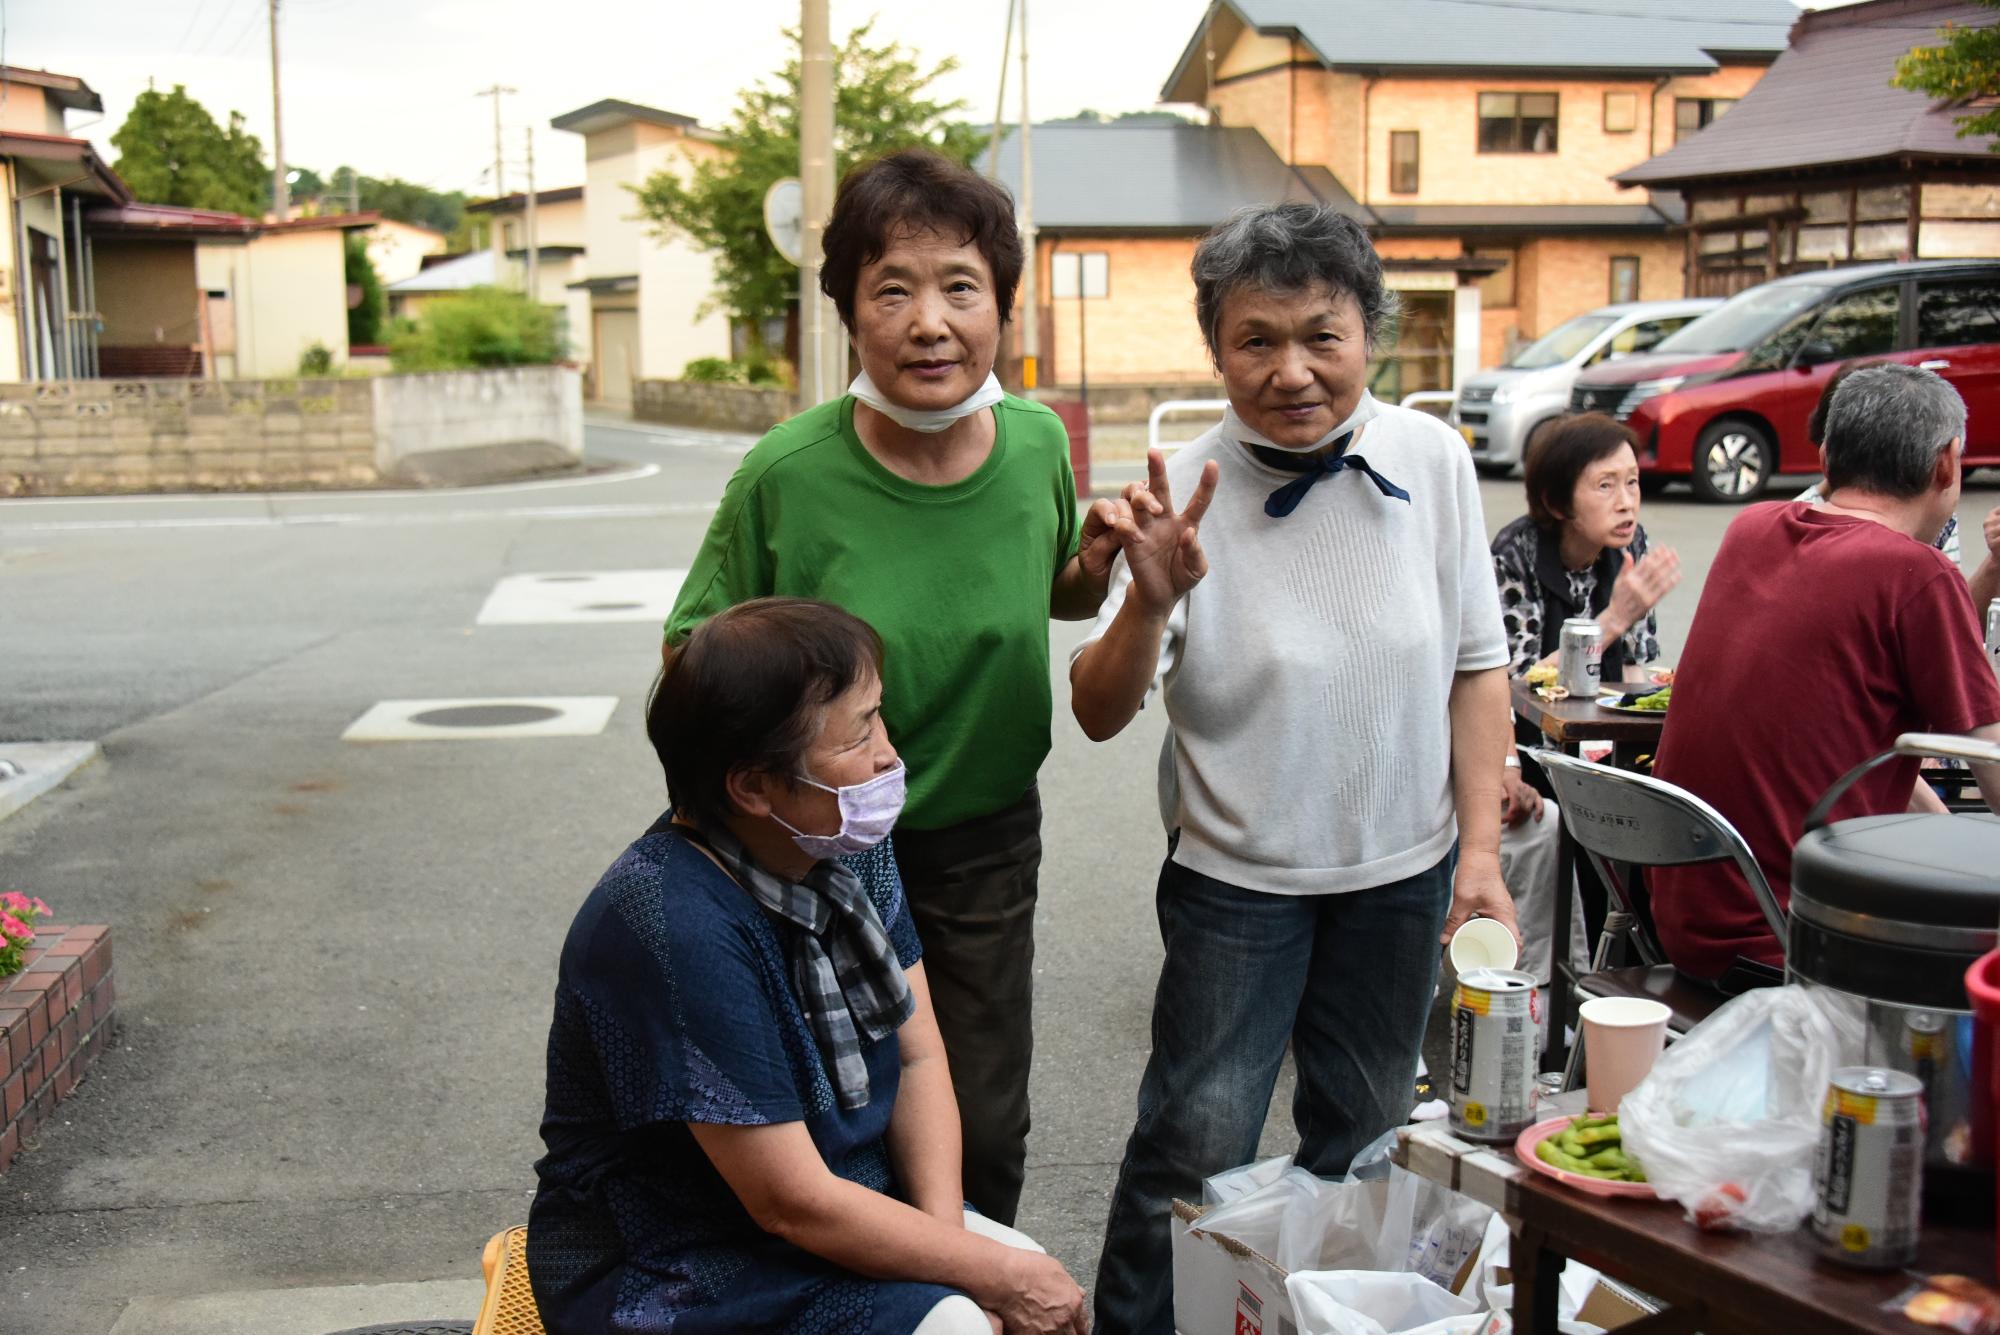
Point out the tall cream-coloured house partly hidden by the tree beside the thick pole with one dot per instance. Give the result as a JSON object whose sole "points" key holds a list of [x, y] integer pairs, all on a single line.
{"points": [[645, 293]]}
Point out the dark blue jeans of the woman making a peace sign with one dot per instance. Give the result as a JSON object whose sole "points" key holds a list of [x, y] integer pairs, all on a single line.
{"points": [[1347, 978]]}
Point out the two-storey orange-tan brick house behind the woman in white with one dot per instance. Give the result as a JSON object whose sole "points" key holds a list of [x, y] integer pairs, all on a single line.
{"points": [[1475, 141]]}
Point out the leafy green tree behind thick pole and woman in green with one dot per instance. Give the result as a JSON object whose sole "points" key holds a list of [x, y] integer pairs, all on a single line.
{"points": [[879, 107]]}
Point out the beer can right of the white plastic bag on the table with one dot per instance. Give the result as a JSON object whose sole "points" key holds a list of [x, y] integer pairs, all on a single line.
{"points": [[1869, 1174]]}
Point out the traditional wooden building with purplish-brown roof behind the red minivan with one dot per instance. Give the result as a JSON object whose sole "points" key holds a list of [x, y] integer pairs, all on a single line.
{"points": [[1825, 163]]}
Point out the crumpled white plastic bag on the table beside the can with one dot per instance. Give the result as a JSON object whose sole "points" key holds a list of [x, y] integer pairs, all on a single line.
{"points": [[1729, 1118]]}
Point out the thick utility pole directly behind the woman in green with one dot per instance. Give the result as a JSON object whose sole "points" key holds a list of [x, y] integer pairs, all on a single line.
{"points": [[821, 349]]}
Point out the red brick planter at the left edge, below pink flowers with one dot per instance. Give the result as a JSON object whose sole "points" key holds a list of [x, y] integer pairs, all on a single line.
{"points": [[55, 1020]]}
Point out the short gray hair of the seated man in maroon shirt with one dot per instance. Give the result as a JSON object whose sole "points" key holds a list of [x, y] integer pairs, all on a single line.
{"points": [[1887, 429]]}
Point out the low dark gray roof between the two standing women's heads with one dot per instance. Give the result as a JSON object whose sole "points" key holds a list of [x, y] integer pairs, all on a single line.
{"points": [[1153, 177]]}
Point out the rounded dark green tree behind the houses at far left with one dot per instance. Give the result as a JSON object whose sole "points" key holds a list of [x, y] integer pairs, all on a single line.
{"points": [[171, 151]]}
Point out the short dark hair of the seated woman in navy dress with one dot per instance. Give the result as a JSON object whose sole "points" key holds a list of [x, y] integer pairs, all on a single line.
{"points": [[749, 690]]}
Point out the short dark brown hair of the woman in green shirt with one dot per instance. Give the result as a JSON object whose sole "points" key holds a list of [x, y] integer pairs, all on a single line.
{"points": [[917, 191]]}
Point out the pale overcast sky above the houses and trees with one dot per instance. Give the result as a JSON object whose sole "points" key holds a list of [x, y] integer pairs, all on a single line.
{"points": [[389, 85]]}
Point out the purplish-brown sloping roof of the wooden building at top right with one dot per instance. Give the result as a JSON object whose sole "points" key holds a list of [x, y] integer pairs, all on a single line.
{"points": [[1829, 101]]}
